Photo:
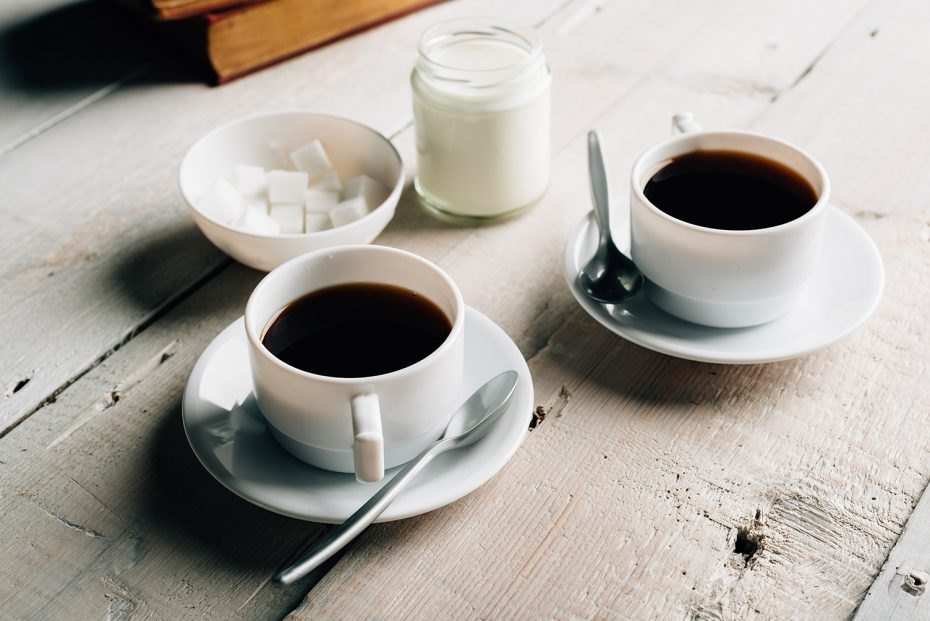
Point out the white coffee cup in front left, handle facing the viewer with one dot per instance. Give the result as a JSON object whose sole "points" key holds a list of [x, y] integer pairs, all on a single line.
{"points": [[366, 424]]}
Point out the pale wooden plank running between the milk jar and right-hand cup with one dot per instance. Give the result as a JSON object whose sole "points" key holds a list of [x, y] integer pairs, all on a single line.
{"points": [[606, 71]]}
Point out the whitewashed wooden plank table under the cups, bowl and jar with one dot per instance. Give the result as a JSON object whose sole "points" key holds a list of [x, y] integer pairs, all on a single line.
{"points": [[632, 498]]}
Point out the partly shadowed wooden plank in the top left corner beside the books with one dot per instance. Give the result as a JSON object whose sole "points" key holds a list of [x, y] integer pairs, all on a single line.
{"points": [[53, 67]]}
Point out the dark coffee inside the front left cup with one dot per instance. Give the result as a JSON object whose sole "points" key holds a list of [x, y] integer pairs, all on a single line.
{"points": [[356, 330]]}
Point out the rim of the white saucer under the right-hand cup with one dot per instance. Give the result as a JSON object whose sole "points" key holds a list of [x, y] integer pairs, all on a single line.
{"points": [[632, 329]]}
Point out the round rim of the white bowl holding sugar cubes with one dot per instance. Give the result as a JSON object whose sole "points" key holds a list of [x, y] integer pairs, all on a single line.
{"points": [[397, 188]]}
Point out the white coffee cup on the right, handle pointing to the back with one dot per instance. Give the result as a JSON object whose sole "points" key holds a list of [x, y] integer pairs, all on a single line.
{"points": [[716, 277]]}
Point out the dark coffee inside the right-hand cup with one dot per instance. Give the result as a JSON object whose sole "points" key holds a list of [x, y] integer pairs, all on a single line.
{"points": [[730, 190]]}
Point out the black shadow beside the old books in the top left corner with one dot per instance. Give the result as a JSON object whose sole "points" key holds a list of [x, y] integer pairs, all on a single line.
{"points": [[81, 46]]}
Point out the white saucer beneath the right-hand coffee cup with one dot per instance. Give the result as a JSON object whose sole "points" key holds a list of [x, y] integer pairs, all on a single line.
{"points": [[844, 291]]}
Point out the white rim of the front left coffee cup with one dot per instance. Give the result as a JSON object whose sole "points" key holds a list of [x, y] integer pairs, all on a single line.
{"points": [[458, 322]]}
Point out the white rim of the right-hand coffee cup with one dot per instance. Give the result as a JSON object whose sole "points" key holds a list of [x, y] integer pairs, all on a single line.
{"points": [[649, 156]]}
